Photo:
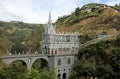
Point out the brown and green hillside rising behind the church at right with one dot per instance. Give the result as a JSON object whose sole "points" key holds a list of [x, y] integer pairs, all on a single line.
{"points": [[91, 19]]}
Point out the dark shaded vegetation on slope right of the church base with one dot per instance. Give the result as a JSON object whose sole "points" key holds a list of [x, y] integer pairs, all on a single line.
{"points": [[100, 60]]}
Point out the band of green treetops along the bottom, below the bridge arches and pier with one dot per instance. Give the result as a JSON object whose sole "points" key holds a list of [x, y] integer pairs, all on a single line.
{"points": [[18, 71]]}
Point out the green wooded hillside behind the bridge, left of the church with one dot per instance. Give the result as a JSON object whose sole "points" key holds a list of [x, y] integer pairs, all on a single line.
{"points": [[19, 37]]}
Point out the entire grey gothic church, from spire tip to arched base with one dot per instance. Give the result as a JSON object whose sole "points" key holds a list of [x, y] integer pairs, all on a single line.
{"points": [[62, 48]]}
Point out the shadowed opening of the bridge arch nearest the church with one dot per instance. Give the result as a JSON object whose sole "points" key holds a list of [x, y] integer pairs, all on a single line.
{"points": [[40, 64]]}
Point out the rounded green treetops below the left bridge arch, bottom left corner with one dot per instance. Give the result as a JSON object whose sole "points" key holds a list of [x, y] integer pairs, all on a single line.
{"points": [[15, 71]]}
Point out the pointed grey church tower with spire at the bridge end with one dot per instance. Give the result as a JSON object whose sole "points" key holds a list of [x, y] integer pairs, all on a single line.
{"points": [[48, 37]]}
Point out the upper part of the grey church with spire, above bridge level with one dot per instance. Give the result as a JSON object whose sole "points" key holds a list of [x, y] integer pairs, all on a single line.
{"points": [[59, 43]]}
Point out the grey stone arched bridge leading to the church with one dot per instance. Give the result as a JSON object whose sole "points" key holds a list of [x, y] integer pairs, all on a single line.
{"points": [[28, 59]]}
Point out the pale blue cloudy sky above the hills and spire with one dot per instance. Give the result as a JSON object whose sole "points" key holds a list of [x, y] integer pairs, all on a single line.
{"points": [[36, 11]]}
